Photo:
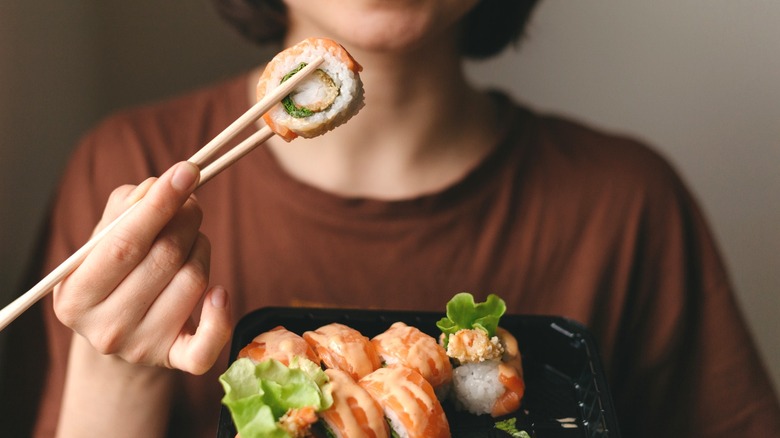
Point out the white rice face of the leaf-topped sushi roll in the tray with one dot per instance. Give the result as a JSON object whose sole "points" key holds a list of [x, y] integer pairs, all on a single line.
{"points": [[475, 386]]}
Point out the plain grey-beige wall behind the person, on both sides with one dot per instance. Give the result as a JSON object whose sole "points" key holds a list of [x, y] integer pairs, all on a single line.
{"points": [[696, 78]]}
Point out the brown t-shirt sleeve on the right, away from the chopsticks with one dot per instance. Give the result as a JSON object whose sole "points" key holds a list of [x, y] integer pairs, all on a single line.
{"points": [[684, 362]]}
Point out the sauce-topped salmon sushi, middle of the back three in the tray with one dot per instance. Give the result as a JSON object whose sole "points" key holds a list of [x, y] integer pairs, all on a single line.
{"points": [[342, 347]]}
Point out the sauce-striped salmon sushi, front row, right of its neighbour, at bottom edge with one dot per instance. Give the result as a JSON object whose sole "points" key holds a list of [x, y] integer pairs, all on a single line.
{"points": [[408, 401]]}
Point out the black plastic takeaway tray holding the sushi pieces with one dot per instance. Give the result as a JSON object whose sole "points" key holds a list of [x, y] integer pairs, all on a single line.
{"points": [[566, 391]]}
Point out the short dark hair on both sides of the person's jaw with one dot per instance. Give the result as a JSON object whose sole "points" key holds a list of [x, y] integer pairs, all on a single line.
{"points": [[489, 28]]}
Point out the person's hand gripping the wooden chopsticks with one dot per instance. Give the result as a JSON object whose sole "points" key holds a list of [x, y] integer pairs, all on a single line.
{"points": [[135, 294]]}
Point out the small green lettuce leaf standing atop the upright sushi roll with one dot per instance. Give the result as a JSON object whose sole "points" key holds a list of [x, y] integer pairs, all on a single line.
{"points": [[464, 313]]}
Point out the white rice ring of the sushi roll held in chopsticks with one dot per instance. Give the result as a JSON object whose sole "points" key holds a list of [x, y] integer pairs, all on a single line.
{"points": [[347, 103]]}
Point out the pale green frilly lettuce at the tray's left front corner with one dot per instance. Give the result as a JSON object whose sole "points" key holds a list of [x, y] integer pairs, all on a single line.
{"points": [[257, 395]]}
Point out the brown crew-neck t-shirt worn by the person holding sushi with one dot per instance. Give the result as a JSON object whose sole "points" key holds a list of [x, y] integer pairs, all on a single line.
{"points": [[559, 219]]}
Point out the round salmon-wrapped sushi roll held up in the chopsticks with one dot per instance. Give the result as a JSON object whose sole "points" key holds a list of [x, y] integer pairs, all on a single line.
{"points": [[326, 99]]}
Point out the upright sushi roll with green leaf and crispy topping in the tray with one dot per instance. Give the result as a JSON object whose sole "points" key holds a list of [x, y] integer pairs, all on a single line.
{"points": [[487, 376]]}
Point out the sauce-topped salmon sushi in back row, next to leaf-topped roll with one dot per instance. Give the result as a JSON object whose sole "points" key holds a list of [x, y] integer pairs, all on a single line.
{"points": [[406, 345]]}
